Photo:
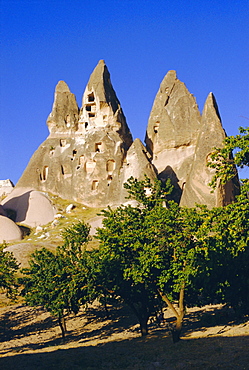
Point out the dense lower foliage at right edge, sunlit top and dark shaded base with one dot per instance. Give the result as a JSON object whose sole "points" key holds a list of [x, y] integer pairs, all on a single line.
{"points": [[225, 240]]}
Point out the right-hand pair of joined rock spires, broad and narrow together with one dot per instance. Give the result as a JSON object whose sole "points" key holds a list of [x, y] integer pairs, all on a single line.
{"points": [[180, 141]]}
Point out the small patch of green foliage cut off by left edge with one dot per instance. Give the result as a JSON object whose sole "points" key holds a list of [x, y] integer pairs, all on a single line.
{"points": [[8, 268]]}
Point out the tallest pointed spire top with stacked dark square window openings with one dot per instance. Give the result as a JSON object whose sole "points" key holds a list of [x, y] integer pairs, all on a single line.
{"points": [[101, 107]]}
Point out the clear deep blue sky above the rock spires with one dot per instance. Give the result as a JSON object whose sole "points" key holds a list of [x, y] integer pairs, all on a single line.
{"points": [[44, 41]]}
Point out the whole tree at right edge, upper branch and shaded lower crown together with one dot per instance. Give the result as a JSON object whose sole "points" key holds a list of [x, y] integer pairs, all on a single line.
{"points": [[228, 241]]}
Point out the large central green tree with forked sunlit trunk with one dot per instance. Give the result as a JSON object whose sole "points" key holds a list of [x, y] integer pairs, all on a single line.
{"points": [[149, 252]]}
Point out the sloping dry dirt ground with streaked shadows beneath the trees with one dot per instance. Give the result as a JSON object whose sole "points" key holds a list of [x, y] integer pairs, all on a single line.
{"points": [[31, 340]]}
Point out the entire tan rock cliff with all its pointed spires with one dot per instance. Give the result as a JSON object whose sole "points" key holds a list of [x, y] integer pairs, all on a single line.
{"points": [[90, 153]]}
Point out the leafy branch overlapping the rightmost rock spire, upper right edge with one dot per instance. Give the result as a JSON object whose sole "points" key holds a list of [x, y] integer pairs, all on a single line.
{"points": [[225, 164]]}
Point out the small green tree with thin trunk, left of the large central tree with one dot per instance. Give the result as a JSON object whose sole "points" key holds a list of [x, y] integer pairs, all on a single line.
{"points": [[59, 282]]}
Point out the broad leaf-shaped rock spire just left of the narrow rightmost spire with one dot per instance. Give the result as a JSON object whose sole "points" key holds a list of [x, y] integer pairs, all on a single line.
{"points": [[172, 131]]}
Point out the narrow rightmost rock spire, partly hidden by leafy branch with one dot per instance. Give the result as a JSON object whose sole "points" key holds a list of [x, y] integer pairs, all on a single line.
{"points": [[196, 189]]}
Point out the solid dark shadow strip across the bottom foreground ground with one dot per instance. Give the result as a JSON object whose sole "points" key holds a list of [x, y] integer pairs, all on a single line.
{"points": [[154, 352]]}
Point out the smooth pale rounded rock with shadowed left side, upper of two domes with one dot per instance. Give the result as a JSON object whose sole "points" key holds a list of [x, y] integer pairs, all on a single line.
{"points": [[29, 207]]}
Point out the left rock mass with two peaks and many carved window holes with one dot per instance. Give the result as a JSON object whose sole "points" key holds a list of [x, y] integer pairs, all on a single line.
{"points": [[86, 156]]}
